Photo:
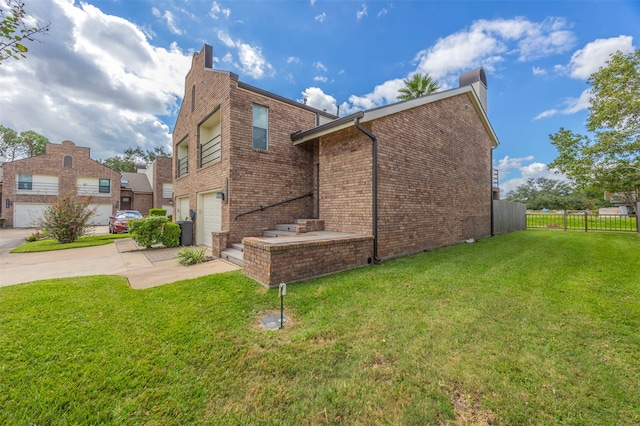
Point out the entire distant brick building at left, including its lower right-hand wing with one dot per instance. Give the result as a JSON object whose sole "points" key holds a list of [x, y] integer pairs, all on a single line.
{"points": [[28, 185]]}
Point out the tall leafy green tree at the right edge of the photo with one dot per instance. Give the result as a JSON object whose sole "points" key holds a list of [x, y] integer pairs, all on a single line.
{"points": [[610, 159]]}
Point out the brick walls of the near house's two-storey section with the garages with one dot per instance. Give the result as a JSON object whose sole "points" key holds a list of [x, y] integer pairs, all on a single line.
{"points": [[255, 178]]}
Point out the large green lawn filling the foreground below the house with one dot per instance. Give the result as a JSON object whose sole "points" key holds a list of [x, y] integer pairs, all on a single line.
{"points": [[534, 327]]}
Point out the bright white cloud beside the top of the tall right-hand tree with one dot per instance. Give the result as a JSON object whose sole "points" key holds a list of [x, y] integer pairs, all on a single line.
{"points": [[594, 55]]}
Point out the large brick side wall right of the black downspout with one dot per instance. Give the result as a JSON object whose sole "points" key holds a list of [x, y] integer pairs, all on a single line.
{"points": [[434, 177]]}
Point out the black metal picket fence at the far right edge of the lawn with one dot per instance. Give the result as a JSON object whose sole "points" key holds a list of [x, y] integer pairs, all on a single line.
{"points": [[583, 221]]}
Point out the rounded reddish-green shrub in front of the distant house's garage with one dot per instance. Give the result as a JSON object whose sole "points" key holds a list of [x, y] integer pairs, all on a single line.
{"points": [[68, 219]]}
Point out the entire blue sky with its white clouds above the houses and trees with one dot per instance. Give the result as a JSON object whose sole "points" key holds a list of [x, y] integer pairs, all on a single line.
{"points": [[110, 73]]}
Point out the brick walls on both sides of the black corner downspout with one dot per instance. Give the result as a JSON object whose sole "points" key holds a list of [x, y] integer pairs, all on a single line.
{"points": [[434, 178]]}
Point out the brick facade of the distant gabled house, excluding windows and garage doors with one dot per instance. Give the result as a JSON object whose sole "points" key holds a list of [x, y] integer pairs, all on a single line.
{"points": [[51, 164]]}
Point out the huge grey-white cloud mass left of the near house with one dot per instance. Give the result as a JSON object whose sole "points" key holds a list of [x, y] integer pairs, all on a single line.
{"points": [[95, 80]]}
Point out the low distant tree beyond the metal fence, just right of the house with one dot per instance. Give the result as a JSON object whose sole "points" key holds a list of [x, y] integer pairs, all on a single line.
{"points": [[547, 193]]}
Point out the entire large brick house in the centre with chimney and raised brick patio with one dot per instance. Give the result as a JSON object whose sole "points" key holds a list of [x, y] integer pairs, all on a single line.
{"points": [[339, 192]]}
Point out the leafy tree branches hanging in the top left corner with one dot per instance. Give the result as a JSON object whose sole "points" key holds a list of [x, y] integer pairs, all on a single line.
{"points": [[15, 30]]}
